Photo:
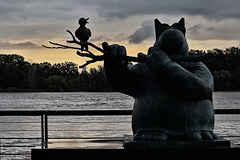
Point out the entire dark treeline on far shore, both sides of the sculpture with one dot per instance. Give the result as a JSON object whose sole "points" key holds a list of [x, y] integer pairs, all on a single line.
{"points": [[16, 74]]}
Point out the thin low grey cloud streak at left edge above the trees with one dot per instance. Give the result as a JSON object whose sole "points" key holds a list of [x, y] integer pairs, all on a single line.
{"points": [[17, 46]]}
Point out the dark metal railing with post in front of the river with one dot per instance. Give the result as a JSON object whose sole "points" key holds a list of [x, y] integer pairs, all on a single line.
{"points": [[44, 115]]}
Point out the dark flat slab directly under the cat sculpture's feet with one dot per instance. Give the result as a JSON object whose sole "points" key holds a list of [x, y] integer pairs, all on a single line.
{"points": [[129, 143]]}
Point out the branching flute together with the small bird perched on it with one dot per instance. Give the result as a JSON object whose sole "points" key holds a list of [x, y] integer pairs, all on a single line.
{"points": [[83, 34]]}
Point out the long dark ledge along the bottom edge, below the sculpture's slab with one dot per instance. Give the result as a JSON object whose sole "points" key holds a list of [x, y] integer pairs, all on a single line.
{"points": [[72, 154]]}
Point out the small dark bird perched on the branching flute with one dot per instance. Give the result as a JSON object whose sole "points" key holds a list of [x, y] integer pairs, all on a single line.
{"points": [[83, 33]]}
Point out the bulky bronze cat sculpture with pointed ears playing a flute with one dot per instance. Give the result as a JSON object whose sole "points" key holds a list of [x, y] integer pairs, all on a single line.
{"points": [[172, 100]]}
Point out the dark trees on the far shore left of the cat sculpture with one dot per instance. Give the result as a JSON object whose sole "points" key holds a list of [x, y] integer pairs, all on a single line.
{"points": [[16, 74]]}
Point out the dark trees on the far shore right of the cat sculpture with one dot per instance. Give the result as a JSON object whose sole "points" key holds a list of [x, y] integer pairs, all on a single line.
{"points": [[224, 65]]}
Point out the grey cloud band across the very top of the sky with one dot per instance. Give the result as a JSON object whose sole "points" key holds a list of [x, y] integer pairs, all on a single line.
{"points": [[62, 9]]}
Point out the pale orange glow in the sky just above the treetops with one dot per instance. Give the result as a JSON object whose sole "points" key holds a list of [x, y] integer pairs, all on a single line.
{"points": [[61, 55]]}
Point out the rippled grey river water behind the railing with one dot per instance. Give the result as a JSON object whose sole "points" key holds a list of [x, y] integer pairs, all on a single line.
{"points": [[82, 127]]}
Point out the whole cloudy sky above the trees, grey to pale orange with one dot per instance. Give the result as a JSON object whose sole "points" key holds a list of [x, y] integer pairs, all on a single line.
{"points": [[26, 24]]}
